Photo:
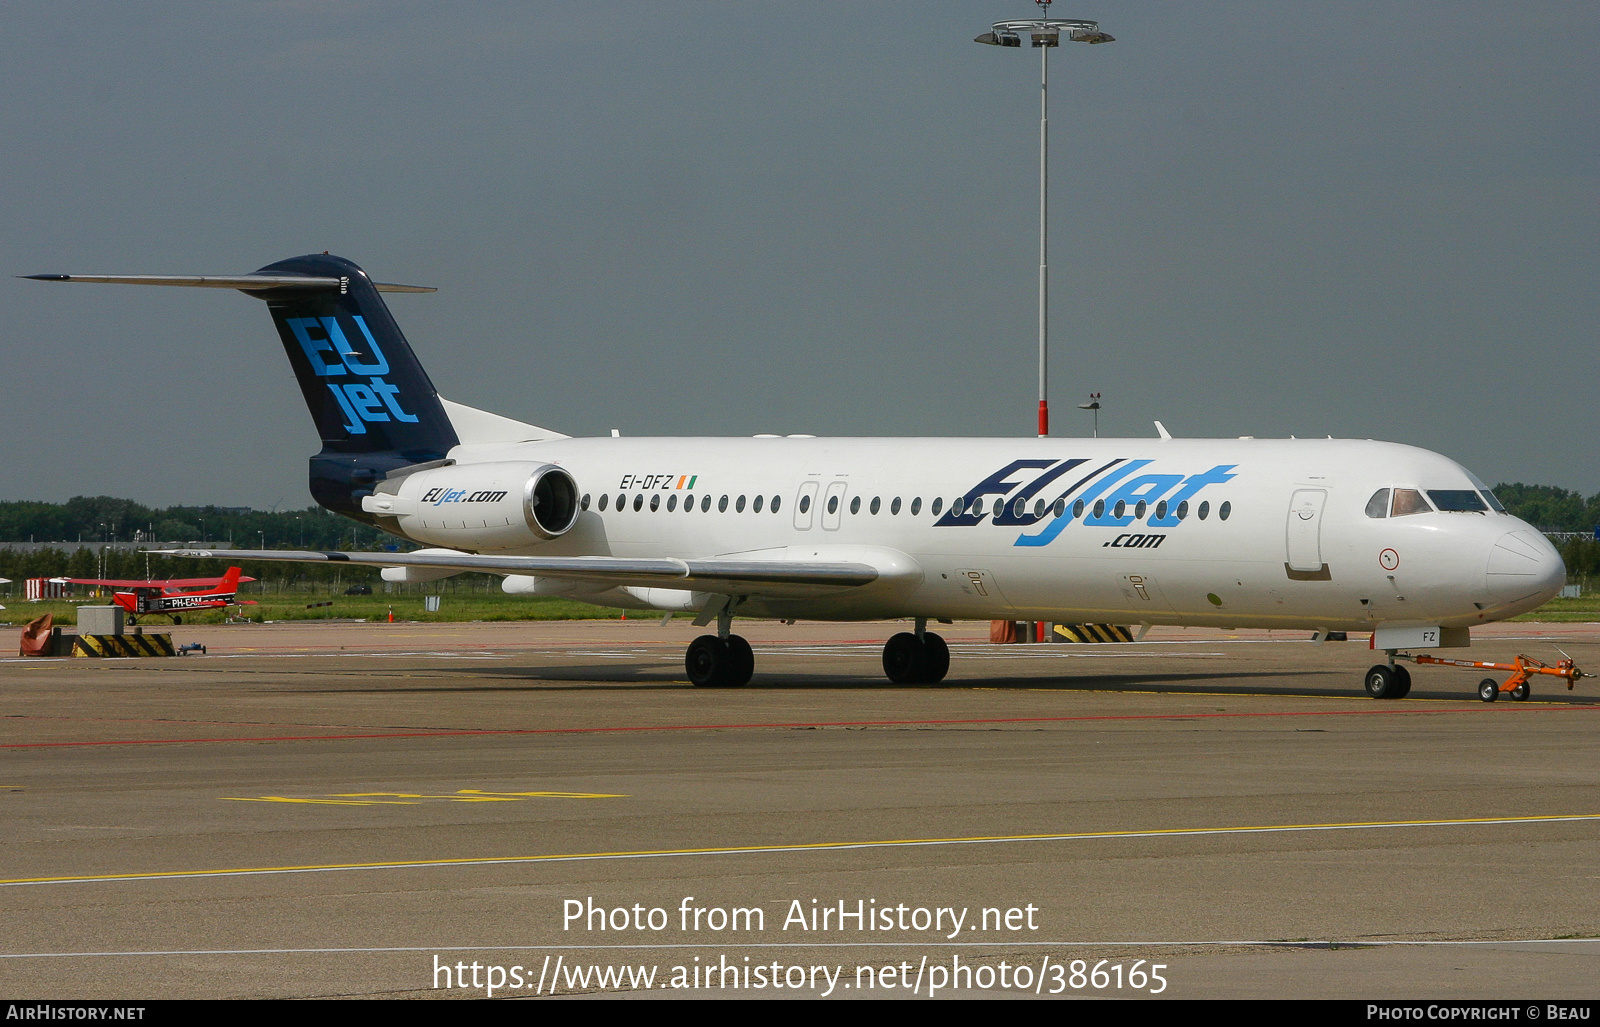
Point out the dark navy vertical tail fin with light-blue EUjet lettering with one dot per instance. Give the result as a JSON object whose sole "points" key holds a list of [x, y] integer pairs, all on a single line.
{"points": [[372, 401]]}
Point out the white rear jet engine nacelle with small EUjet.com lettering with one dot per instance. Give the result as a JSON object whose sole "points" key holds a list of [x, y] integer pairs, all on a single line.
{"points": [[479, 508]]}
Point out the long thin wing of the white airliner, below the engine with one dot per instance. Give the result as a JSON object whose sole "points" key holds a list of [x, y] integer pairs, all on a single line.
{"points": [[778, 578]]}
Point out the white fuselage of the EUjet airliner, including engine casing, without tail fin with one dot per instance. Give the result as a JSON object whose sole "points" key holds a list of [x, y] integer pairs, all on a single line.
{"points": [[1295, 549]]}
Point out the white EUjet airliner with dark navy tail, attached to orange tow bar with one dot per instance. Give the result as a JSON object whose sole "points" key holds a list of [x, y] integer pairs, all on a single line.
{"points": [[1319, 535]]}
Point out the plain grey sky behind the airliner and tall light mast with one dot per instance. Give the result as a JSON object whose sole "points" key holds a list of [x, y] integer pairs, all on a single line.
{"points": [[1364, 220]]}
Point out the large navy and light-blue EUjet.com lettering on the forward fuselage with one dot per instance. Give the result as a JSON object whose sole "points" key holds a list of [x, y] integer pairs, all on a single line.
{"points": [[1110, 495]]}
